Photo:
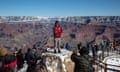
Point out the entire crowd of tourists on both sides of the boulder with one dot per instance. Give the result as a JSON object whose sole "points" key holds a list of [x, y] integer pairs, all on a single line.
{"points": [[83, 61]]}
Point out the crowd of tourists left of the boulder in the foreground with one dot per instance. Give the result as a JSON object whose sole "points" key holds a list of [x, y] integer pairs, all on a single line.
{"points": [[14, 62]]}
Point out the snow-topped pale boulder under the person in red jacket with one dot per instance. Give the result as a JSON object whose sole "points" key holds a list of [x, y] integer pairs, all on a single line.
{"points": [[59, 62]]}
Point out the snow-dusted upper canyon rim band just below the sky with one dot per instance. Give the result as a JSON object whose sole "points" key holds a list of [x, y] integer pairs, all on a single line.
{"points": [[73, 19]]}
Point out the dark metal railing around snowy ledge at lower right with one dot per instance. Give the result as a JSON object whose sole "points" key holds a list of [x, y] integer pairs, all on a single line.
{"points": [[103, 66]]}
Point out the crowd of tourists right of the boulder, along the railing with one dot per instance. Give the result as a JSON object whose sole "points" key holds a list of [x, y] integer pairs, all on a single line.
{"points": [[84, 62]]}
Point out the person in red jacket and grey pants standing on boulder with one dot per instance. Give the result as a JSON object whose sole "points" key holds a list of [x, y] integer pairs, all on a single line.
{"points": [[57, 30]]}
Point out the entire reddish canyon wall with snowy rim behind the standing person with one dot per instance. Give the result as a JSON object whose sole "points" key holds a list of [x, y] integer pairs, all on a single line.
{"points": [[27, 30]]}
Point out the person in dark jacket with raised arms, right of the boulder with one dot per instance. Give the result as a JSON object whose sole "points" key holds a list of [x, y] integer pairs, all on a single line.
{"points": [[83, 62]]}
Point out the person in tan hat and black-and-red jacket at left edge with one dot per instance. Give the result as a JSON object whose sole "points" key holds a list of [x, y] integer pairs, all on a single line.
{"points": [[8, 62]]}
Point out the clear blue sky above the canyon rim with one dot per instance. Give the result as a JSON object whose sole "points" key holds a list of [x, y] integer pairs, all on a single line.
{"points": [[59, 7]]}
